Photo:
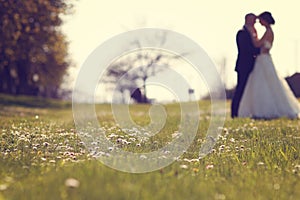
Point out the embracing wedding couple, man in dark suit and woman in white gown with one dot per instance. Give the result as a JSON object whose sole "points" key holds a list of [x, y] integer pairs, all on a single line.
{"points": [[260, 93]]}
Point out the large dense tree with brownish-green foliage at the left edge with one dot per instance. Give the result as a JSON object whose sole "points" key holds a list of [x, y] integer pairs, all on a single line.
{"points": [[33, 50]]}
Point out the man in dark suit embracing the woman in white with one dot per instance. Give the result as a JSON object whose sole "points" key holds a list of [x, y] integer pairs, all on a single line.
{"points": [[247, 53]]}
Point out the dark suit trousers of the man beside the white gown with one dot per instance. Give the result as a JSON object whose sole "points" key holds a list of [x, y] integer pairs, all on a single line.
{"points": [[241, 84]]}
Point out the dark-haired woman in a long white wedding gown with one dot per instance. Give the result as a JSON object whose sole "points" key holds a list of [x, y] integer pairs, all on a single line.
{"points": [[266, 96]]}
